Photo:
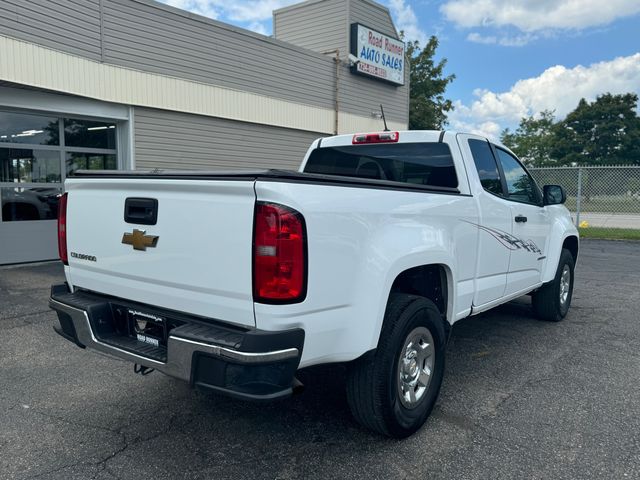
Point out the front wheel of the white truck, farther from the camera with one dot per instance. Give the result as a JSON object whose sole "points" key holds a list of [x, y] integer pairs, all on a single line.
{"points": [[552, 301]]}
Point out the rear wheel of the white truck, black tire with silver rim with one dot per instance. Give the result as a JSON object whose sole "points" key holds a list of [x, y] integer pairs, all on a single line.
{"points": [[375, 381]]}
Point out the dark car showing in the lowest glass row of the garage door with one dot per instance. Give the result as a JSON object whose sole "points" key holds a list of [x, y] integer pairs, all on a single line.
{"points": [[20, 204]]}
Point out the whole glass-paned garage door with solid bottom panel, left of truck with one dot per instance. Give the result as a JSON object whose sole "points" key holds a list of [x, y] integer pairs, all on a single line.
{"points": [[37, 152]]}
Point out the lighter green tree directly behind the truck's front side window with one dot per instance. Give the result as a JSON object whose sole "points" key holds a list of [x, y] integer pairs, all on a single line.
{"points": [[533, 140]]}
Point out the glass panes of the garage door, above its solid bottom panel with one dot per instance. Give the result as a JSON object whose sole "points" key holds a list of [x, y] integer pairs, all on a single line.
{"points": [[37, 152]]}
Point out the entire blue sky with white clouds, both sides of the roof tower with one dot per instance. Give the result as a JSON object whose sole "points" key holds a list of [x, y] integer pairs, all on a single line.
{"points": [[511, 58]]}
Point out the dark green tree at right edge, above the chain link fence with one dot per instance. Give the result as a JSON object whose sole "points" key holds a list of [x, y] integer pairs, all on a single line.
{"points": [[603, 132]]}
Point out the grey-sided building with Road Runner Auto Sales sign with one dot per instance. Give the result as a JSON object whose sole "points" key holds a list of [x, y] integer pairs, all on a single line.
{"points": [[135, 84]]}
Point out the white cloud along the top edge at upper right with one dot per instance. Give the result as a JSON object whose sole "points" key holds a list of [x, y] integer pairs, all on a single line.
{"points": [[537, 15]]}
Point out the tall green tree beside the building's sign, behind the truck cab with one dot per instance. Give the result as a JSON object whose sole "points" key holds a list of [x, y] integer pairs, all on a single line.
{"points": [[427, 105]]}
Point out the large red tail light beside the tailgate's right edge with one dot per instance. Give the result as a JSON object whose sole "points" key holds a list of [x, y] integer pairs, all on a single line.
{"points": [[279, 255]]}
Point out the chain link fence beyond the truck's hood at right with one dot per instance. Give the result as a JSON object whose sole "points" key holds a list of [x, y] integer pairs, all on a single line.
{"points": [[606, 198]]}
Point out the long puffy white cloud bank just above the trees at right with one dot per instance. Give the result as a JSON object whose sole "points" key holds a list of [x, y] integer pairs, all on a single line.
{"points": [[558, 88]]}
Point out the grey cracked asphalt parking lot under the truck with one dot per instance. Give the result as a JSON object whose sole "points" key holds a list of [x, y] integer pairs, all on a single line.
{"points": [[521, 399]]}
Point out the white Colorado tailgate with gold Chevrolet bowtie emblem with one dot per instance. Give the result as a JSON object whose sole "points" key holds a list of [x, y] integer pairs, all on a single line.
{"points": [[201, 261]]}
